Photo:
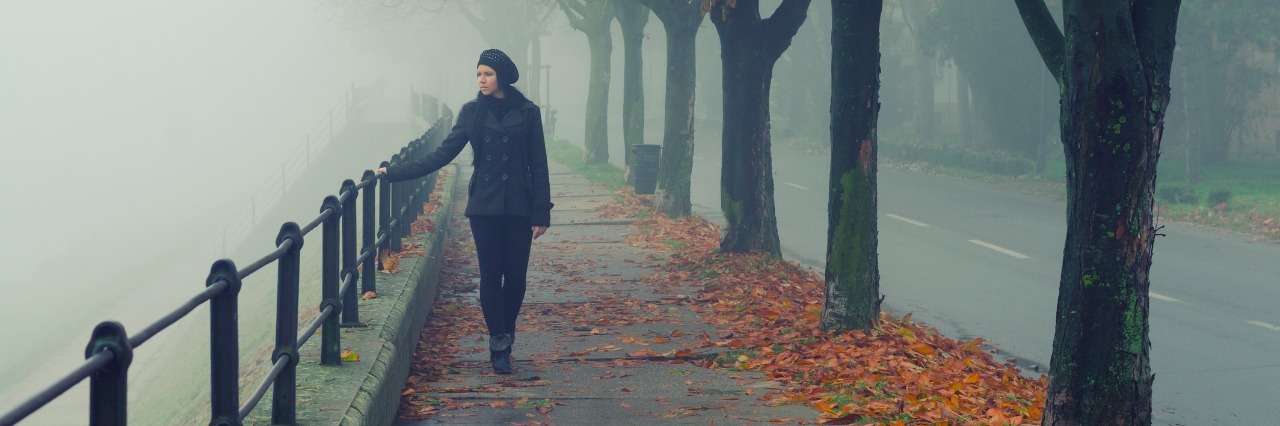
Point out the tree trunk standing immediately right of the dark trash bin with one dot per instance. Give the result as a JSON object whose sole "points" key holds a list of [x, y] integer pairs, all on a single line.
{"points": [[682, 21]]}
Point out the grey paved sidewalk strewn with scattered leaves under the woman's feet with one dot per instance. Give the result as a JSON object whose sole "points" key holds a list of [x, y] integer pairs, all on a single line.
{"points": [[596, 342]]}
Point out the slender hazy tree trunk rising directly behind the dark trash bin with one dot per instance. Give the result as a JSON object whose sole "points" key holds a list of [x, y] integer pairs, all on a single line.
{"points": [[633, 19]]}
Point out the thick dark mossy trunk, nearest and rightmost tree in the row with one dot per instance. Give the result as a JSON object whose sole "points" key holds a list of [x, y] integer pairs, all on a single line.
{"points": [[1113, 66]]}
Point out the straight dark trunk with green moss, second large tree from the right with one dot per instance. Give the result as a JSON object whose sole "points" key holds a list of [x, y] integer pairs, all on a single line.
{"points": [[853, 271]]}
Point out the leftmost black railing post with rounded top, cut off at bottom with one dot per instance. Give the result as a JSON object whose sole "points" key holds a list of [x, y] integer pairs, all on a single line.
{"points": [[109, 388]]}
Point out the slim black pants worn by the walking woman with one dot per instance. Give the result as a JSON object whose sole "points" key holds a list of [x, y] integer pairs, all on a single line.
{"points": [[502, 251]]}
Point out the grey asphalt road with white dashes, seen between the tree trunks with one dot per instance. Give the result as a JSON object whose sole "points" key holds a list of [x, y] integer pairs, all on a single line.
{"points": [[975, 262]]}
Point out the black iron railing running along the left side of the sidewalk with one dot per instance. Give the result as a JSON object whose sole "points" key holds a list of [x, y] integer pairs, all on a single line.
{"points": [[111, 350]]}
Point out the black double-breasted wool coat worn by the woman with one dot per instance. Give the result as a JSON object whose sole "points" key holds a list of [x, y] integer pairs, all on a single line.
{"points": [[510, 175]]}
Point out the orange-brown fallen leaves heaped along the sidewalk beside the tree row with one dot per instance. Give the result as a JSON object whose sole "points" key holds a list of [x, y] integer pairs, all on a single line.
{"points": [[769, 313]]}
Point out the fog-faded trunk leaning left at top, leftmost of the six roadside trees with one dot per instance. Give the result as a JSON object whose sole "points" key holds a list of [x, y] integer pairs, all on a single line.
{"points": [[595, 20]]}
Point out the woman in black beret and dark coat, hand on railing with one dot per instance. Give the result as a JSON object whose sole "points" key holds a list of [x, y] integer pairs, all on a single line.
{"points": [[510, 195]]}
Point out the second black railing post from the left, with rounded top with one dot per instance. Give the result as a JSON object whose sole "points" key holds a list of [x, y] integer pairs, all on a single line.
{"points": [[225, 346]]}
